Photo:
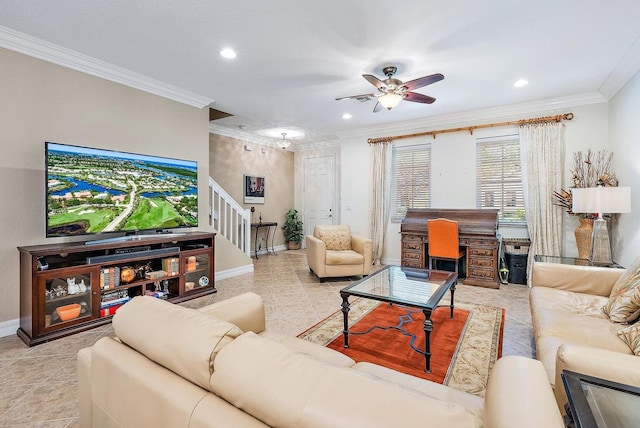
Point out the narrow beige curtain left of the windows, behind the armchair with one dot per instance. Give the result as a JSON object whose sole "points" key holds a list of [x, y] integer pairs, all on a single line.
{"points": [[380, 167]]}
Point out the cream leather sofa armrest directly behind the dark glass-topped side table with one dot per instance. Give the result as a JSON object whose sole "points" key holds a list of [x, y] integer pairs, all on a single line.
{"points": [[600, 363]]}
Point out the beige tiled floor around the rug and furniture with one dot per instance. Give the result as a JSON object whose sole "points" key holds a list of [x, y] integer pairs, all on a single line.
{"points": [[38, 385]]}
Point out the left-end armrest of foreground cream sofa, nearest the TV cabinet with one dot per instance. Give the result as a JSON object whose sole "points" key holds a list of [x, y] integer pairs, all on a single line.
{"points": [[245, 311]]}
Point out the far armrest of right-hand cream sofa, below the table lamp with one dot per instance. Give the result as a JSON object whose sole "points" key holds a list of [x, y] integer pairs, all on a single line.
{"points": [[581, 279]]}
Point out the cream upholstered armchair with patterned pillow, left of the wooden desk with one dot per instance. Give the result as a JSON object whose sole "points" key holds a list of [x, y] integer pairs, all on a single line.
{"points": [[332, 251]]}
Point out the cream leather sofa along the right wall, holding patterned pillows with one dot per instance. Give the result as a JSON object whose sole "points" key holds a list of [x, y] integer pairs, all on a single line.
{"points": [[570, 329]]}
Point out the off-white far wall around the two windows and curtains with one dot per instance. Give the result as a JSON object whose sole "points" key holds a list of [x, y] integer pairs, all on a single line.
{"points": [[454, 176]]}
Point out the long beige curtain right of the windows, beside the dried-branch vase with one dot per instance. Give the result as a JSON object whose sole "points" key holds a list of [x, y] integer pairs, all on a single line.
{"points": [[542, 156]]}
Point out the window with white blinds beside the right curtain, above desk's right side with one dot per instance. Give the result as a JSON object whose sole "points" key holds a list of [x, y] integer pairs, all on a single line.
{"points": [[499, 178]]}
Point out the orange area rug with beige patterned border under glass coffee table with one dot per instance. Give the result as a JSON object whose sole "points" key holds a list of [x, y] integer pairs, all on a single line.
{"points": [[463, 348]]}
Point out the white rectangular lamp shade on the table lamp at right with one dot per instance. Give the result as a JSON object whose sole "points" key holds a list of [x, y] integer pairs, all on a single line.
{"points": [[601, 200]]}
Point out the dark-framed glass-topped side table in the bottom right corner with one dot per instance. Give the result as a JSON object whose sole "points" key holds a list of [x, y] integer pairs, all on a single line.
{"points": [[596, 403]]}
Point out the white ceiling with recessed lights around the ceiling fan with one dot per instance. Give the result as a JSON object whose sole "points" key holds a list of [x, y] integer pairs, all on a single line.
{"points": [[296, 56]]}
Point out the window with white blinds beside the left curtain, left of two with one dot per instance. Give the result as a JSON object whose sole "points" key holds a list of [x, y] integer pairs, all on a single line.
{"points": [[410, 179]]}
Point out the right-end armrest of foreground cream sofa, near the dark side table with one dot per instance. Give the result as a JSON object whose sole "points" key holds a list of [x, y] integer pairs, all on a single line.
{"points": [[518, 390]]}
